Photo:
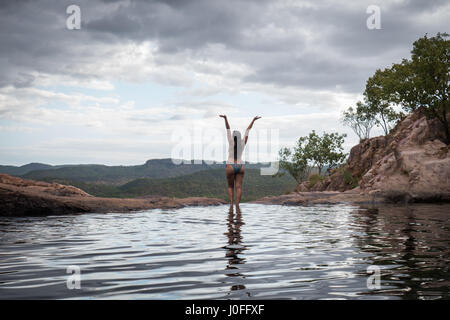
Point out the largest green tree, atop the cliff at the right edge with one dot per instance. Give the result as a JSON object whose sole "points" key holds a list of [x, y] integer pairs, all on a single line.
{"points": [[421, 82]]}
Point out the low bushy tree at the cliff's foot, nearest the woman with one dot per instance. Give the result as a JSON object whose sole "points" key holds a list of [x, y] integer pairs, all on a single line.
{"points": [[312, 151]]}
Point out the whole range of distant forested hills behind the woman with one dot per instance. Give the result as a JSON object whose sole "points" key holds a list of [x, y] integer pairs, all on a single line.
{"points": [[155, 177]]}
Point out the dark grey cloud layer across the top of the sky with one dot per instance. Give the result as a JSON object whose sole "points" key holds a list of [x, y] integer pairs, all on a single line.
{"points": [[322, 45]]}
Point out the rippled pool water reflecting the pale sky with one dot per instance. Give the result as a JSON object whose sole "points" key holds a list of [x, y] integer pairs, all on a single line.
{"points": [[268, 252]]}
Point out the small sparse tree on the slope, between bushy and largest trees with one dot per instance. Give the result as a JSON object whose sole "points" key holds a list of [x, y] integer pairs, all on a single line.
{"points": [[361, 121]]}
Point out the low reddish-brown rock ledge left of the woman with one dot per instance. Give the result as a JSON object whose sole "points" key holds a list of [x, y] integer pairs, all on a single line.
{"points": [[19, 197]]}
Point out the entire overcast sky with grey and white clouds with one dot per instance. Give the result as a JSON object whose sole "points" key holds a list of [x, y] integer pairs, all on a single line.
{"points": [[140, 73]]}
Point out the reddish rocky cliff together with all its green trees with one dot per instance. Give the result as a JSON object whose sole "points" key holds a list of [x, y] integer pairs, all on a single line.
{"points": [[409, 101]]}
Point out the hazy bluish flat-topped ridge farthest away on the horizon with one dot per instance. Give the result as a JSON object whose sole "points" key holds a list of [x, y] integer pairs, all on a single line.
{"points": [[117, 175]]}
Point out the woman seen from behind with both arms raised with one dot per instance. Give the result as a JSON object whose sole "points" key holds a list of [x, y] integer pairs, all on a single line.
{"points": [[234, 169]]}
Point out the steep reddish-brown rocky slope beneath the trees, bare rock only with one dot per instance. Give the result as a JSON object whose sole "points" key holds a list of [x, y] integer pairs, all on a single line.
{"points": [[411, 164]]}
